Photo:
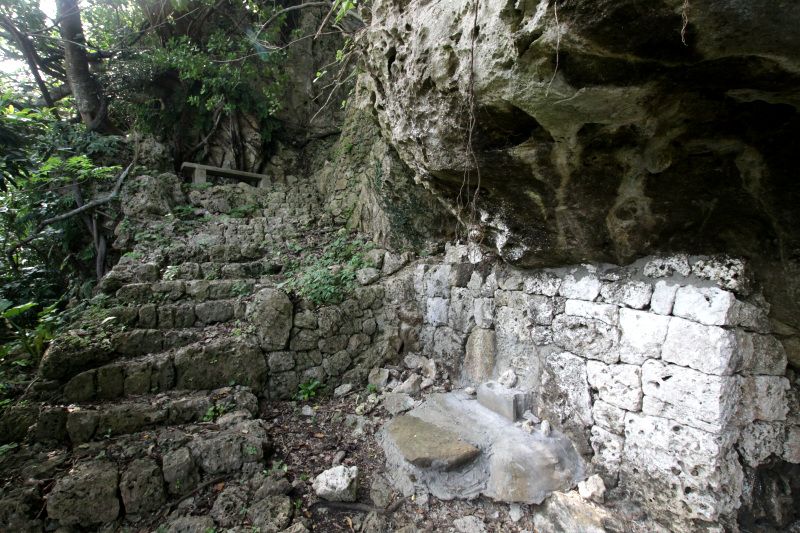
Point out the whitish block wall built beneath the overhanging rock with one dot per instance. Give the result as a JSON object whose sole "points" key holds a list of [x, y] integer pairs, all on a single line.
{"points": [[664, 373]]}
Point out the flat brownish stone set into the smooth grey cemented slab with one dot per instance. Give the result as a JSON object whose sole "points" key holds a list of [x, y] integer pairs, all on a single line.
{"points": [[427, 446]]}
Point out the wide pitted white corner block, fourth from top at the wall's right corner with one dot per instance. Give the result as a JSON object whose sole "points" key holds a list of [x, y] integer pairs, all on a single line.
{"points": [[696, 399]]}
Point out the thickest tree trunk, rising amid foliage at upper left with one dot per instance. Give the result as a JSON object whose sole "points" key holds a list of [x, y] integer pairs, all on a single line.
{"points": [[85, 89]]}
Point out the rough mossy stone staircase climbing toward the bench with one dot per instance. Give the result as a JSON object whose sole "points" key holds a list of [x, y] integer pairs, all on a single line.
{"points": [[154, 392]]}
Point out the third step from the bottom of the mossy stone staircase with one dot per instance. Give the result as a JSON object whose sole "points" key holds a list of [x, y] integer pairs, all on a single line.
{"points": [[202, 365]]}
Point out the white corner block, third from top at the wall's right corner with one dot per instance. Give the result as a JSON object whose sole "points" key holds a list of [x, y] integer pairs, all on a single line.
{"points": [[710, 349]]}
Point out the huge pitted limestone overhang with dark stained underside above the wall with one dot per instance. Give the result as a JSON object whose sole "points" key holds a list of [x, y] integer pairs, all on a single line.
{"points": [[603, 131]]}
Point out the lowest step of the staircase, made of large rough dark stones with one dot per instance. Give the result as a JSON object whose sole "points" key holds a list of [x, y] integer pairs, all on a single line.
{"points": [[132, 478]]}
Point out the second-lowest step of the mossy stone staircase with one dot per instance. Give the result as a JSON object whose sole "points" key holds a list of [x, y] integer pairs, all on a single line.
{"points": [[83, 422]]}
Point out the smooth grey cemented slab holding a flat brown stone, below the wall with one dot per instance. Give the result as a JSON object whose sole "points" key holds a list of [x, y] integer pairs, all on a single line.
{"points": [[454, 447]]}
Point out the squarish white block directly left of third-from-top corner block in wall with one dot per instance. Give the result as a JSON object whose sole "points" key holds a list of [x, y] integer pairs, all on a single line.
{"points": [[642, 335]]}
